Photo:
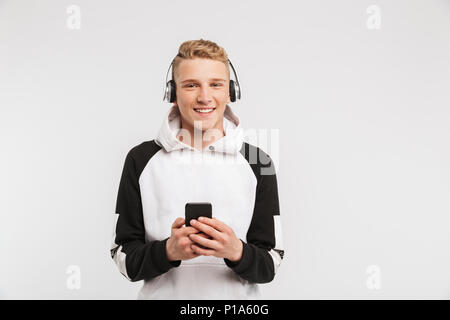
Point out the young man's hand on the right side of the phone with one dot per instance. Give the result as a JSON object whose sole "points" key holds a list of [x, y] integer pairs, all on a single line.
{"points": [[223, 242]]}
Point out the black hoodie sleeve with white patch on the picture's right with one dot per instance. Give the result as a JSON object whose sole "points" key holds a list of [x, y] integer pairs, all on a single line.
{"points": [[263, 252]]}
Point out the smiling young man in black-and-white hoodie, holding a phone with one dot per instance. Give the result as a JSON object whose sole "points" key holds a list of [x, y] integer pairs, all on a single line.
{"points": [[220, 258]]}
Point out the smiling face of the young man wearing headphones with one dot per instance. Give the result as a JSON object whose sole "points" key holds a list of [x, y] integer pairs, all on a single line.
{"points": [[202, 92]]}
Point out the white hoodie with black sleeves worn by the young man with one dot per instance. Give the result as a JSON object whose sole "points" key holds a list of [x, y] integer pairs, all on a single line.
{"points": [[160, 176]]}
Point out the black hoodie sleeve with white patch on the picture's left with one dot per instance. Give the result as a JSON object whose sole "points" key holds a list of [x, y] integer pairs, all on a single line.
{"points": [[136, 259]]}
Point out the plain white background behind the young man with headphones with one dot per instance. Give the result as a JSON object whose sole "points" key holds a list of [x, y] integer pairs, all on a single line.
{"points": [[363, 119]]}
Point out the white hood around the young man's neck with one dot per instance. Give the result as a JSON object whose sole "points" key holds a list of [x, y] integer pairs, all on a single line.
{"points": [[231, 143]]}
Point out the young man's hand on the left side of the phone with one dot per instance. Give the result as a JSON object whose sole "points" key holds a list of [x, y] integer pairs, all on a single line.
{"points": [[178, 246]]}
